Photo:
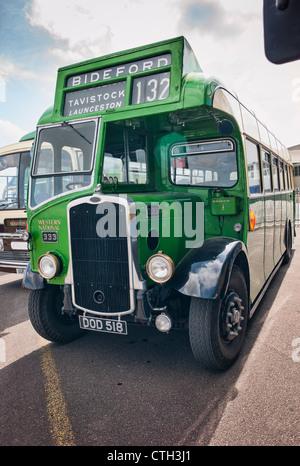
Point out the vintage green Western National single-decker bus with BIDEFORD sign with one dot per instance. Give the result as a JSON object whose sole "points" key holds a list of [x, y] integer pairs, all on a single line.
{"points": [[156, 198]]}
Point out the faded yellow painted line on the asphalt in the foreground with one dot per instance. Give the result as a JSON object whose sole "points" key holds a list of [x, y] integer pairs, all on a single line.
{"points": [[60, 425]]}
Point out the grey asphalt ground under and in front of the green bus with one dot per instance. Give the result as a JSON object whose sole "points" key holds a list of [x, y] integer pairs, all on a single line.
{"points": [[145, 389]]}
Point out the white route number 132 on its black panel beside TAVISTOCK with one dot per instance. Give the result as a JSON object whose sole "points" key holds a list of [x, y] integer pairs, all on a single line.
{"points": [[150, 88]]}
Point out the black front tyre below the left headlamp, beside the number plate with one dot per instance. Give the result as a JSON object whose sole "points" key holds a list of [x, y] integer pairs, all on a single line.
{"points": [[44, 307]]}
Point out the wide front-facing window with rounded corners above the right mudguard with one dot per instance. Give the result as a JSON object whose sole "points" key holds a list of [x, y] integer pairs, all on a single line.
{"points": [[204, 163]]}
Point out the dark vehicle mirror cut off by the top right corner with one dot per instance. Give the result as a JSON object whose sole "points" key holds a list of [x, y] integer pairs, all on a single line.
{"points": [[282, 30]]}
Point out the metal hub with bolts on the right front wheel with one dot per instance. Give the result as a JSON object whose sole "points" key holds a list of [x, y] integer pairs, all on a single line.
{"points": [[232, 316]]}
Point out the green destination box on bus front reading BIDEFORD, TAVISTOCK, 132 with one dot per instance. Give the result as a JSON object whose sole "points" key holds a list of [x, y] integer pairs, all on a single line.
{"points": [[116, 82]]}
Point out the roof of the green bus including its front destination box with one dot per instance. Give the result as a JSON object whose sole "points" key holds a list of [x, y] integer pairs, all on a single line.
{"points": [[160, 77]]}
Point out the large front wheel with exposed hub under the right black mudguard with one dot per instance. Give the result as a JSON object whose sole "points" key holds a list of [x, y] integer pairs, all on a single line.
{"points": [[217, 327]]}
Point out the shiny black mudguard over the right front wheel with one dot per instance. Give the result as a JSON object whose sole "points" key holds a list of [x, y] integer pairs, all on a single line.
{"points": [[204, 272]]}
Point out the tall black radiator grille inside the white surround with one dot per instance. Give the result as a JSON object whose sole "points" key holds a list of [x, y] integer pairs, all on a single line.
{"points": [[100, 263]]}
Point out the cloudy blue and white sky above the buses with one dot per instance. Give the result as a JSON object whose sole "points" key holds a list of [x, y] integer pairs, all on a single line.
{"points": [[39, 36]]}
